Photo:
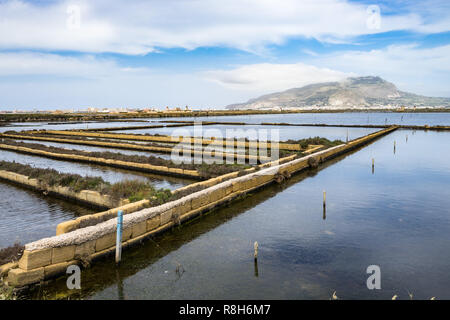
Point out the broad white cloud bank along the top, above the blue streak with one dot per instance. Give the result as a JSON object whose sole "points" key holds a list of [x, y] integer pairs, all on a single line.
{"points": [[137, 27]]}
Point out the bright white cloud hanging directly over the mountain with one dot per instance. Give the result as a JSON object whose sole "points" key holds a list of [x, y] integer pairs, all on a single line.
{"points": [[412, 68]]}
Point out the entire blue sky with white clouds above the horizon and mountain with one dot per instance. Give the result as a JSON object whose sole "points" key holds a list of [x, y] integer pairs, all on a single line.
{"points": [[209, 53]]}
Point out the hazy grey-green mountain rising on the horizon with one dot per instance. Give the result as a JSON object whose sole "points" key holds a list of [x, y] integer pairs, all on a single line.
{"points": [[359, 92]]}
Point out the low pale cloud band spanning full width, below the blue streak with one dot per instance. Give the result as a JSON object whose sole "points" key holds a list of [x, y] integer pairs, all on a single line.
{"points": [[90, 81]]}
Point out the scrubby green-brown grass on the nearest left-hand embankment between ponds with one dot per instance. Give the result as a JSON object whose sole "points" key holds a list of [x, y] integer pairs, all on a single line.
{"points": [[134, 190]]}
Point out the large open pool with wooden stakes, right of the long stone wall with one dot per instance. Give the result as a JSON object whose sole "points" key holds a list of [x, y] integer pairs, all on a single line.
{"points": [[396, 217]]}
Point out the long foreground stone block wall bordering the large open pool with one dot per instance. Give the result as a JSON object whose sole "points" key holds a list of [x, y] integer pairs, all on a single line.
{"points": [[50, 257]]}
